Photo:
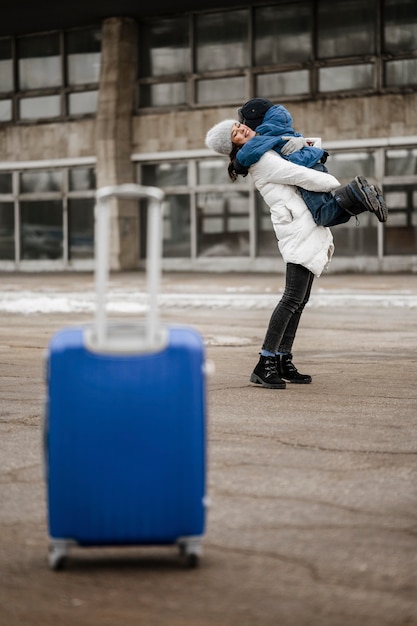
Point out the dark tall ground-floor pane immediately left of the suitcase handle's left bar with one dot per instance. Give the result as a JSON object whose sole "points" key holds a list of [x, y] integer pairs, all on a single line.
{"points": [[81, 228]]}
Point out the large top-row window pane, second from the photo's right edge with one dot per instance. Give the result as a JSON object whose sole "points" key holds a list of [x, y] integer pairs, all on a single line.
{"points": [[346, 30]]}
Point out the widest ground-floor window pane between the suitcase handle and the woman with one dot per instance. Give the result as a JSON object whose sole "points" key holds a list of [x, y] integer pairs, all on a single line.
{"points": [[223, 224]]}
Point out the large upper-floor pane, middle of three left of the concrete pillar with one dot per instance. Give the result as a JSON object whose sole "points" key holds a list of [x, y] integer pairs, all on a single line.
{"points": [[39, 62]]}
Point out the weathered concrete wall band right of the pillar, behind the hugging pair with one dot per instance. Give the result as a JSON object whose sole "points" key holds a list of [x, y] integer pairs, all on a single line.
{"points": [[347, 118]]}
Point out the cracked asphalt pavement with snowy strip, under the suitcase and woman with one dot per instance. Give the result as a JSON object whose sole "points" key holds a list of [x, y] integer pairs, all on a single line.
{"points": [[313, 489]]}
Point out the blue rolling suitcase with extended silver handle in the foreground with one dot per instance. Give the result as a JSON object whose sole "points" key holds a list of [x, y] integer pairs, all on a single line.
{"points": [[125, 431]]}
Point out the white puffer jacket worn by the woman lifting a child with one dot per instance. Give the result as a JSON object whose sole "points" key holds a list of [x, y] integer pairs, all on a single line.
{"points": [[300, 240]]}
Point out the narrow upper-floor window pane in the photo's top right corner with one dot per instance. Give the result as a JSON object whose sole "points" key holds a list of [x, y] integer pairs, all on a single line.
{"points": [[400, 21]]}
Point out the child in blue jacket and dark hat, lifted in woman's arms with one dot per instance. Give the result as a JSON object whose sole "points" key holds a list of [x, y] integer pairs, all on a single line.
{"points": [[274, 128]]}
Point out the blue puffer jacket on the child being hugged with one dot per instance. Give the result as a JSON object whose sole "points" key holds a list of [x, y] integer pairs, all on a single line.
{"points": [[277, 122]]}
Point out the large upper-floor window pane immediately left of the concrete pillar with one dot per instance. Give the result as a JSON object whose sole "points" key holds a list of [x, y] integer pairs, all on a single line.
{"points": [[83, 56]]}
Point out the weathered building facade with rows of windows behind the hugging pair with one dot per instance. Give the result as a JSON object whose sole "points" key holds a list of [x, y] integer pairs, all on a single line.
{"points": [[131, 98]]}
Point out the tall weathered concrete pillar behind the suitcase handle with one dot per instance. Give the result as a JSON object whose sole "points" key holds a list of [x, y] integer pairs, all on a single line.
{"points": [[114, 135]]}
